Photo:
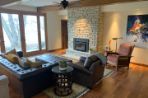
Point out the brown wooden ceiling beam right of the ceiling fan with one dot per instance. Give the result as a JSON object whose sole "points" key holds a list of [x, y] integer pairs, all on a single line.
{"points": [[103, 2]]}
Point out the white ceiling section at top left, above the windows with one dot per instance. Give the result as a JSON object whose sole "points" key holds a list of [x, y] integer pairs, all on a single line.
{"points": [[34, 3]]}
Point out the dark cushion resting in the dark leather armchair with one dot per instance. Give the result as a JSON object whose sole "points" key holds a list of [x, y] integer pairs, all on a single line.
{"points": [[89, 60]]}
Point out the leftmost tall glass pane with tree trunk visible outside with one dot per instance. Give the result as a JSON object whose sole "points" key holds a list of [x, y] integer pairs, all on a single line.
{"points": [[11, 31]]}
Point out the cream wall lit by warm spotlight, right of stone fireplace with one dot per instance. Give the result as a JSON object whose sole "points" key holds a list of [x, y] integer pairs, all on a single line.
{"points": [[115, 22]]}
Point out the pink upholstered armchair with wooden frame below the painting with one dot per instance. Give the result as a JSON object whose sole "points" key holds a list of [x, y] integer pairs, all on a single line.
{"points": [[122, 57]]}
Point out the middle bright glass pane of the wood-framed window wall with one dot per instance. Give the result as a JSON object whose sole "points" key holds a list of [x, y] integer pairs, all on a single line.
{"points": [[31, 33]]}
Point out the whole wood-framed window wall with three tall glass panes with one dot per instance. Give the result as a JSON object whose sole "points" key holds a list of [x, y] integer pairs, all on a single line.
{"points": [[22, 31]]}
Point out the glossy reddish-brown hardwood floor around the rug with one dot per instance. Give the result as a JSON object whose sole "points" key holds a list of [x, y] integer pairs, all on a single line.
{"points": [[132, 83]]}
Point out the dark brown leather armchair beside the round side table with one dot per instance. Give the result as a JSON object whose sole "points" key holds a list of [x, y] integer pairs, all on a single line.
{"points": [[87, 77]]}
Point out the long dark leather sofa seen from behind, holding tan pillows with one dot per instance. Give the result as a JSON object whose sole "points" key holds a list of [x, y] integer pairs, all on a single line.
{"points": [[27, 82]]}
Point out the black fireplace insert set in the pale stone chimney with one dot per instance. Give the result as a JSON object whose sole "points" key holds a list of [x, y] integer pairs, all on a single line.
{"points": [[81, 44]]}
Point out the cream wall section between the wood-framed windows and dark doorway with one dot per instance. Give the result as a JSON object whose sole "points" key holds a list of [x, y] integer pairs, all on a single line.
{"points": [[54, 29]]}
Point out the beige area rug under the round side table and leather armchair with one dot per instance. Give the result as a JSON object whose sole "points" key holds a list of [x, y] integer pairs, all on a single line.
{"points": [[78, 90]]}
